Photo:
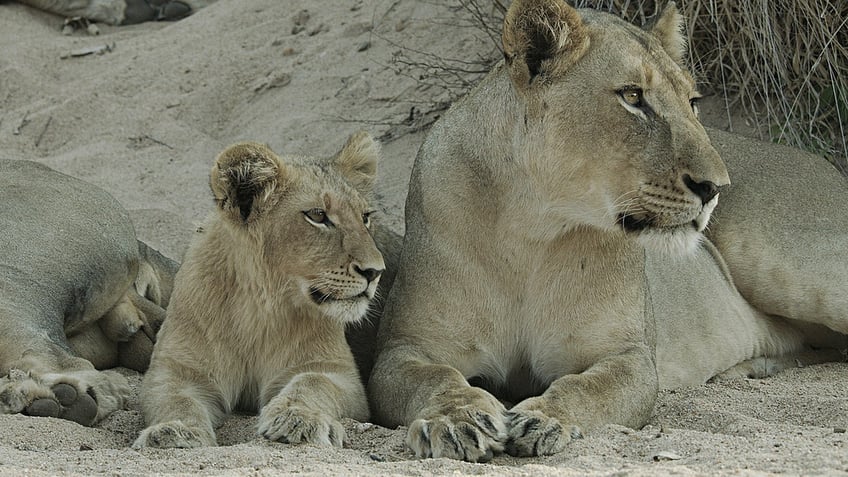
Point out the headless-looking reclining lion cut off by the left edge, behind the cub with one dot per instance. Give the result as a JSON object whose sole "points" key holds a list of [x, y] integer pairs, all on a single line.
{"points": [[78, 293]]}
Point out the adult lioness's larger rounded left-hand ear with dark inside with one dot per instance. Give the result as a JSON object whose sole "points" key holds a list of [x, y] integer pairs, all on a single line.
{"points": [[542, 37]]}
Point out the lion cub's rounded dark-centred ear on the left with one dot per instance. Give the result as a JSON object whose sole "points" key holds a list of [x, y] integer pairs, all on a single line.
{"points": [[243, 179]]}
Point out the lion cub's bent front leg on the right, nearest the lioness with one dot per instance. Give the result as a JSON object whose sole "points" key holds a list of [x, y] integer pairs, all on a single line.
{"points": [[306, 404]]}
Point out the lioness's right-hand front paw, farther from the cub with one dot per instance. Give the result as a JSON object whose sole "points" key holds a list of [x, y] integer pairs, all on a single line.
{"points": [[532, 433]]}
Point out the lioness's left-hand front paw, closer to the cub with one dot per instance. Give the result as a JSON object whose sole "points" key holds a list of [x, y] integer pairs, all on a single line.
{"points": [[468, 434]]}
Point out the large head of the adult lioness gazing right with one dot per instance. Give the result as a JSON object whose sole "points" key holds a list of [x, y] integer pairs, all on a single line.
{"points": [[612, 135]]}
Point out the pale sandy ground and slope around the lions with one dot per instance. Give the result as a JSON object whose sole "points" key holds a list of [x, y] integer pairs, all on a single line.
{"points": [[145, 120]]}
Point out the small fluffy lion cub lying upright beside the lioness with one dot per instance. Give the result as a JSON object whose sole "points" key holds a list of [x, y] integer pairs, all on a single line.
{"points": [[257, 318]]}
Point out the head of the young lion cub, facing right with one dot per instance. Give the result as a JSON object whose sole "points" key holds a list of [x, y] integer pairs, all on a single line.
{"points": [[309, 218]]}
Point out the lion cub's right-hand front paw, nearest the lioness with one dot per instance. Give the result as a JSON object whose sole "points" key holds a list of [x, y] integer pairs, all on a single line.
{"points": [[298, 424]]}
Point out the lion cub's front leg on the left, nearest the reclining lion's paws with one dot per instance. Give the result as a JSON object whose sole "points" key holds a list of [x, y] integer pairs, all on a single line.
{"points": [[181, 406]]}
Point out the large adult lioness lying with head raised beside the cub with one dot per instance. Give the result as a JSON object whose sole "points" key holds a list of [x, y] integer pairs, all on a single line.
{"points": [[558, 209]]}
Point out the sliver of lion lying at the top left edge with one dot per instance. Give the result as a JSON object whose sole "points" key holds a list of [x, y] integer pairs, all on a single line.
{"points": [[120, 12]]}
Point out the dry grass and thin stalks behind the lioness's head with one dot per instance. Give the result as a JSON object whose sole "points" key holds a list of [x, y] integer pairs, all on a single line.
{"points": [[781, 63]]}
